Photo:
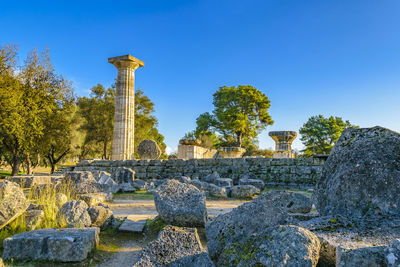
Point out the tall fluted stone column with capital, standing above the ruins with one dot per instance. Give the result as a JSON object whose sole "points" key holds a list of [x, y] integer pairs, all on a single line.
{"points": [[124, 116]]}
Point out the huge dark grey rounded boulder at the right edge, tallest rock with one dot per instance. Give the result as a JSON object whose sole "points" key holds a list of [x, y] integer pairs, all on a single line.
{"points": [[361, 176]]}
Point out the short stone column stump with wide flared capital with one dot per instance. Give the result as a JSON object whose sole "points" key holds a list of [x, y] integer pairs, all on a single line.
{"points": [[283, 143]]}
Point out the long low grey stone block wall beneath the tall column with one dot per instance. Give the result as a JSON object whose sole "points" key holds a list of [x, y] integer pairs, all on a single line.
{"points": [[299, 172]]}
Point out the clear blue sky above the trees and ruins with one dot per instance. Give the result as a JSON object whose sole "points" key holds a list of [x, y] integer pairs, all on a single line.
{"points": [[330, 57]]}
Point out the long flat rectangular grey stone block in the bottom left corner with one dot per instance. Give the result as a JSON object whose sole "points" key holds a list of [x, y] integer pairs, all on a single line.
{"points": [[59, 245]]}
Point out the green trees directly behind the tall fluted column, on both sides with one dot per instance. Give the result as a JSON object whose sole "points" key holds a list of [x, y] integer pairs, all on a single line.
{"points": [[98, 113]]}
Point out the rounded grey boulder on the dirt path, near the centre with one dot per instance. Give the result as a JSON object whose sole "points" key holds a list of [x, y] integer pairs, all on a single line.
{"points": [[181, 204]]}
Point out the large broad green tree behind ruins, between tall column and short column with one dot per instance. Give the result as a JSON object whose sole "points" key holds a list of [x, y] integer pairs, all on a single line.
{"points": [[239, 113]]}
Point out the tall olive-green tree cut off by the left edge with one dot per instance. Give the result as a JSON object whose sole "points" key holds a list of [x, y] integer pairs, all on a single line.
{"points": [[28, 95]]}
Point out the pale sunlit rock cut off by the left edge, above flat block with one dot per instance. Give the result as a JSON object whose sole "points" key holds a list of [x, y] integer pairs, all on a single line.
{"points": [[12, 202]]}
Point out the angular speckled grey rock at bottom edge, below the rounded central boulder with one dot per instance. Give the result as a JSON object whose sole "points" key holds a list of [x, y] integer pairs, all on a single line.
{"points": [[173, 243]]}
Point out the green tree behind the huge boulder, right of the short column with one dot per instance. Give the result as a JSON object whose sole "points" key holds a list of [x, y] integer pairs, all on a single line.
{"points": [[320, 134]]}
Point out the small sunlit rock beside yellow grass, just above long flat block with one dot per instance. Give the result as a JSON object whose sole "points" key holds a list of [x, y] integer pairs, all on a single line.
{"points": [[73, 214]]}
